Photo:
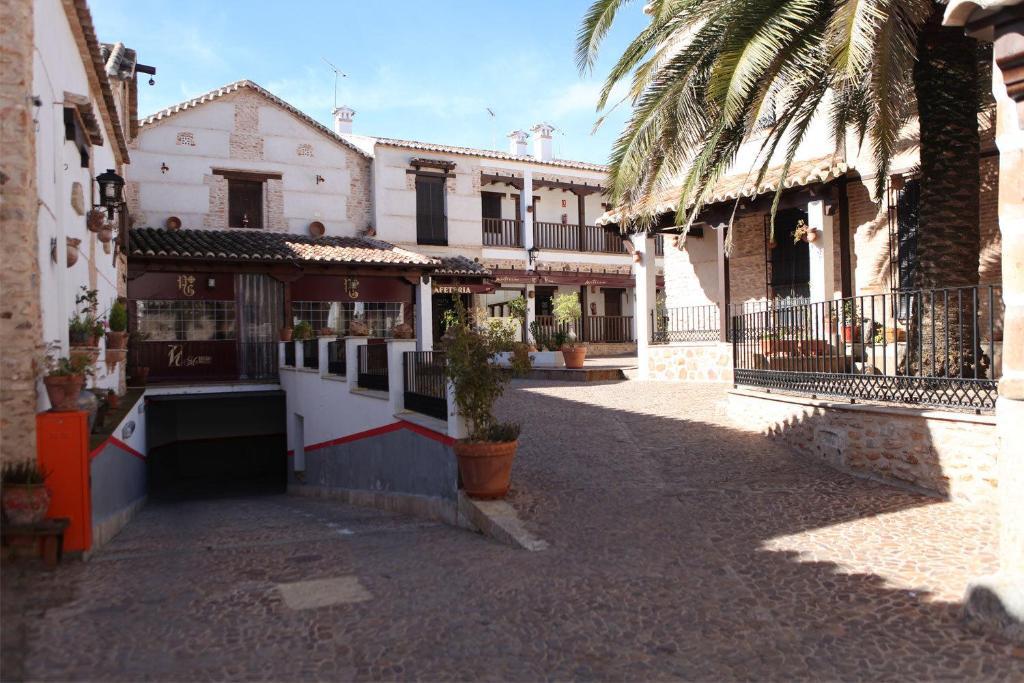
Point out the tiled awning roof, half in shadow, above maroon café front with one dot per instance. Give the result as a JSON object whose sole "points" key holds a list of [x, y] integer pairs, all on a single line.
{"points": [[244, 245]]}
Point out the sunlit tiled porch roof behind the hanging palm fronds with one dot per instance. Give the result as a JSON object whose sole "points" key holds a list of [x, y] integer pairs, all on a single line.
{"points": [[732, 188]]}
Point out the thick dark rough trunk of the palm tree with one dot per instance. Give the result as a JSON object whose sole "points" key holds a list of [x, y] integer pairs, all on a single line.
{"points": [[946, 79]]}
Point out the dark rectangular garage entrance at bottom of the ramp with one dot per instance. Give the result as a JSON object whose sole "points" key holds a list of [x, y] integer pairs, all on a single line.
{"points": [[217, 445]]}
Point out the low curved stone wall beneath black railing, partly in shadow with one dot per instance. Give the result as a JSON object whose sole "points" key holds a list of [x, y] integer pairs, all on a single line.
{"points": [[951, 454]]}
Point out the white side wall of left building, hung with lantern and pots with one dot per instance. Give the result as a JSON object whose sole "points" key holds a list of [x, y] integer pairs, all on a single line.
{"points": [[58, 69]]}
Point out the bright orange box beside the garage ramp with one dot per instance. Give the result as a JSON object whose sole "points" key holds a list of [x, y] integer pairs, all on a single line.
{"points": [[63, 446]]}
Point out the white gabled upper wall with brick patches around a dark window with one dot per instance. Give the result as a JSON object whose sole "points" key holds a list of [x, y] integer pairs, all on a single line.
{"points": [[183, 192]]}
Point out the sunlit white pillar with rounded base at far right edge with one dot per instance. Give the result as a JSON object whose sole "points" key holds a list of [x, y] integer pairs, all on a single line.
{"points": [[997, 603]]}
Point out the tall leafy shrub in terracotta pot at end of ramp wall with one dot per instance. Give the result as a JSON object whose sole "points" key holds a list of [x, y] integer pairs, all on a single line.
{"points": [[486, 455]]}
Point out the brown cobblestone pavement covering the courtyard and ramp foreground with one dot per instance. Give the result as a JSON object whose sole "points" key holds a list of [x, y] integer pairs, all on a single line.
{"points": [[681, 548]]}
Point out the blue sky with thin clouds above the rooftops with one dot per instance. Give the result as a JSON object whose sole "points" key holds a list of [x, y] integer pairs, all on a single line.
{"points": [[415, 70]]}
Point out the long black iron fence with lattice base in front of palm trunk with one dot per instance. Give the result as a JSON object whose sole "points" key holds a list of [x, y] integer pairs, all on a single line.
{"points": [[938, 348]]}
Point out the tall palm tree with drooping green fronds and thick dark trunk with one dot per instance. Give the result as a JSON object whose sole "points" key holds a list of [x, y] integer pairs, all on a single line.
{"points": [[703, 72]]}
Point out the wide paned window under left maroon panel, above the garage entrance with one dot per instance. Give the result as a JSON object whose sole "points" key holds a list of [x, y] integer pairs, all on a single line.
{"points": [[186, 321]]}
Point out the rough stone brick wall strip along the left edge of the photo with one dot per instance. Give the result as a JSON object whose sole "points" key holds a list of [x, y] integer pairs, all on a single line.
{"points": [[21, 323]]}
